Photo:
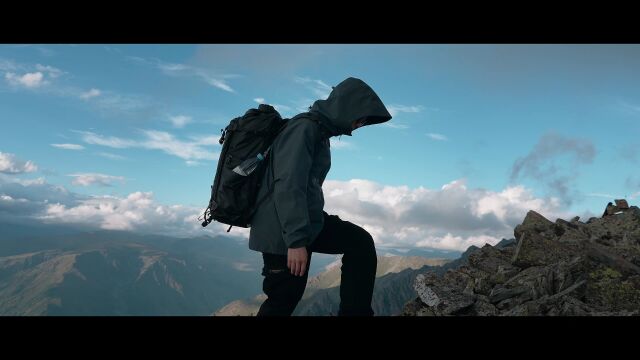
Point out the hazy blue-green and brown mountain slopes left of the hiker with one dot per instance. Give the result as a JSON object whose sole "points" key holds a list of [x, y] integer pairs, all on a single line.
{"points": [[119, 273]]}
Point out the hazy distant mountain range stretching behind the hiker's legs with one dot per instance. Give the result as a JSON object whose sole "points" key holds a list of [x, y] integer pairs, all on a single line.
{"points": [[64, 270]]}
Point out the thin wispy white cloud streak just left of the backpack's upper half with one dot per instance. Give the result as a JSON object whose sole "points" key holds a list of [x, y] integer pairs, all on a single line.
{"points": [[195, 149]]}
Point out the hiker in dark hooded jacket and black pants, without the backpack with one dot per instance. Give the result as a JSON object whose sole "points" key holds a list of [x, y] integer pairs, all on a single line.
{"points": [[290, 223]]}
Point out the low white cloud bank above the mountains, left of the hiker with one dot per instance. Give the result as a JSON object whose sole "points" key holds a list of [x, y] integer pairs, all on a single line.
{"points": [[35, 200]]}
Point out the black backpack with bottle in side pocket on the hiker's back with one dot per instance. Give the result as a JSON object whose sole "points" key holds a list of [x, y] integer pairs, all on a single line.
{"points": [[246, 143]]}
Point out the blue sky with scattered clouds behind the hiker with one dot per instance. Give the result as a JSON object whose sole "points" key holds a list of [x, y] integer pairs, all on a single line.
{"points": [[124, 137]]}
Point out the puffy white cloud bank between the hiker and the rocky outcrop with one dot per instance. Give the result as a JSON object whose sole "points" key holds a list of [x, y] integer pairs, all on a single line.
{"points": [[453, 217]]}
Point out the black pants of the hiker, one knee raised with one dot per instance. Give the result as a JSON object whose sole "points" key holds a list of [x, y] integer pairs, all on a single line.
{"points": [[359, 262]]}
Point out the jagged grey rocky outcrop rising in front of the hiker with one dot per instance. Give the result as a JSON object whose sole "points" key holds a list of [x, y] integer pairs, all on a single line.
{"points": [[553, 268]]}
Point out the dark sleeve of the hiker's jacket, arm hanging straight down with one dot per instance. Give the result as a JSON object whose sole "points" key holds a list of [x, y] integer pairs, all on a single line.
{"points": [[292, 162]]}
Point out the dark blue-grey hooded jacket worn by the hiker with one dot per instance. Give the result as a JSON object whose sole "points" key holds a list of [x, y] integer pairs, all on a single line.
{"points": [[292, 214]]}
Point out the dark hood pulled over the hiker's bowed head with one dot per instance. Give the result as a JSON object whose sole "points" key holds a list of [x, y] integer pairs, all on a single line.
{"points": [[351, 100]]}
